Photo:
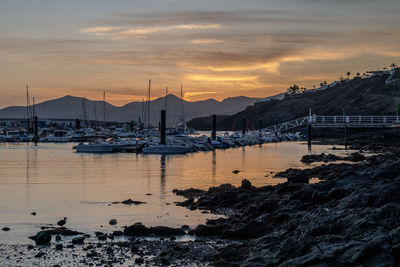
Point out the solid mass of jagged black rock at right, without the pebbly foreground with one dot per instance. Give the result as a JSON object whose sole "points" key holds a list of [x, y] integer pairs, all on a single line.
{"points": [[350, 218]]}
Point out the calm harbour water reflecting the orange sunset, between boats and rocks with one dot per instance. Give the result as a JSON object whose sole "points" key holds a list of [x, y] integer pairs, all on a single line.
{"points": [[55, 182]]}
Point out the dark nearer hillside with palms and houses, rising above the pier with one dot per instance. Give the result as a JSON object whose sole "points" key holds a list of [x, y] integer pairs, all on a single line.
{"points": [[368, 96]]}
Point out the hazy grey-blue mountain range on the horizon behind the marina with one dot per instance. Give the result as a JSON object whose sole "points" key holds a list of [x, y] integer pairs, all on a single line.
{"points": [[70, 107]]}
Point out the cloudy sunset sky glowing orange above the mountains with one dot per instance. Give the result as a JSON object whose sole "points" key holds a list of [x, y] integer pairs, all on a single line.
{"points": [[214, 48]]}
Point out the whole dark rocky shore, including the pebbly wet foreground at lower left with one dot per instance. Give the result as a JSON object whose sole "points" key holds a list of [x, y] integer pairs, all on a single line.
{"points": [[351, 217]]}
